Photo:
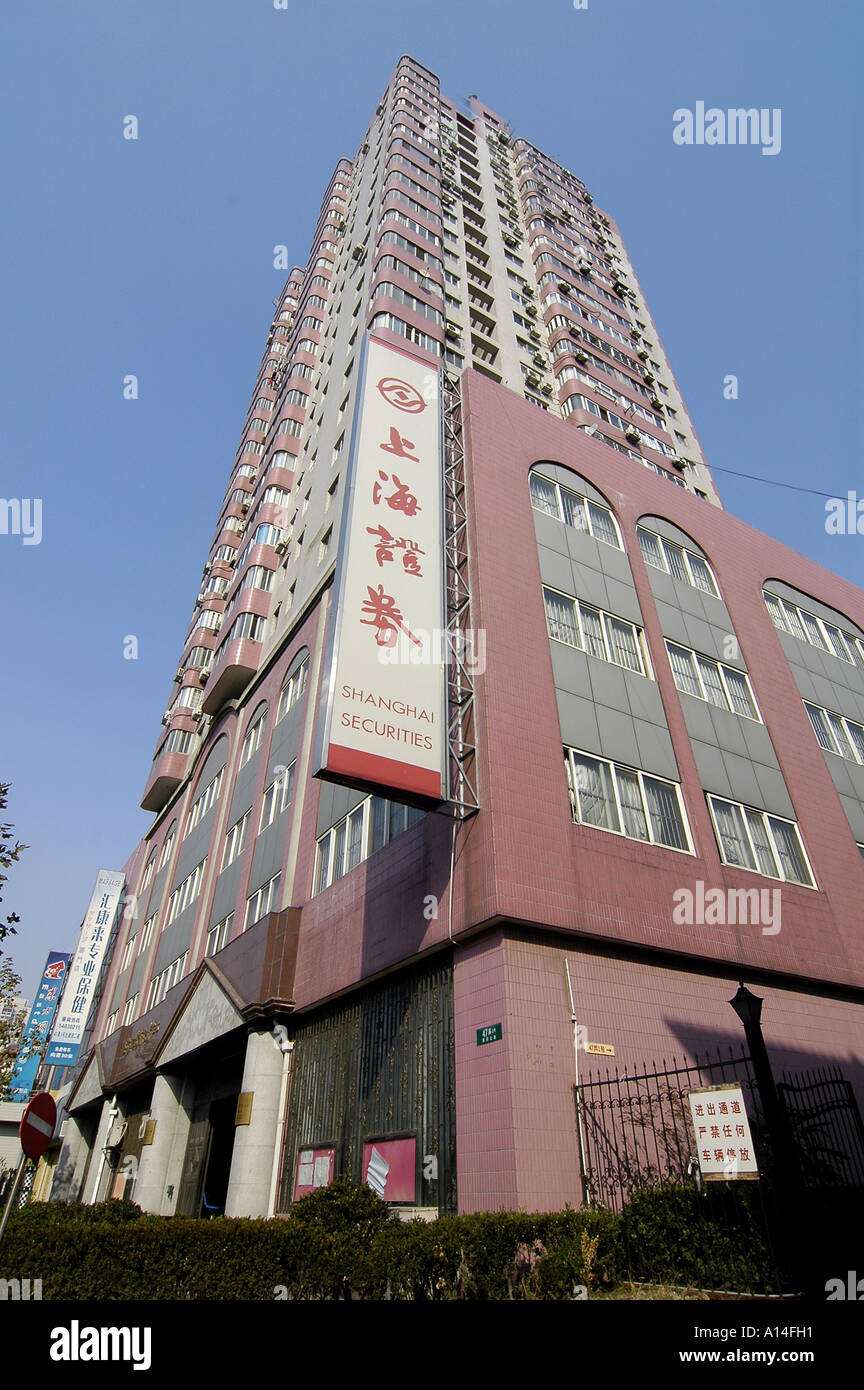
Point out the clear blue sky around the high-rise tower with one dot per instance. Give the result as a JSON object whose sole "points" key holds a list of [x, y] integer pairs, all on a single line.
{"points": [[156, 258]]}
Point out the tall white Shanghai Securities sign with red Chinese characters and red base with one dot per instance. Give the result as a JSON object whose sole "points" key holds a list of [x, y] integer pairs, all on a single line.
{"points": [[385, 721]]}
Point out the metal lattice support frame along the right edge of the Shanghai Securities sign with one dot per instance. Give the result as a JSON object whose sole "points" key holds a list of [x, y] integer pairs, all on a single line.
{"points": [[460, 650]]}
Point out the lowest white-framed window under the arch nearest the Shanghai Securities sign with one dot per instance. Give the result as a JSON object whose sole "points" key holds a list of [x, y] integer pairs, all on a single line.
{"points": [[626, 801]]}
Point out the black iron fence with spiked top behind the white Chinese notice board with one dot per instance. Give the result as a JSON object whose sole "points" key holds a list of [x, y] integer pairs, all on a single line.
{"points": [[769, 1235]]}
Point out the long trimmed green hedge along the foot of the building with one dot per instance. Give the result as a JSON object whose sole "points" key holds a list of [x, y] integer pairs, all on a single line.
{"points": [[344, 1243]]}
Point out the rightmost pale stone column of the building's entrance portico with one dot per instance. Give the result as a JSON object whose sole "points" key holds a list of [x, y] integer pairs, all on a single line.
{"points": [[254, 1146]]}
